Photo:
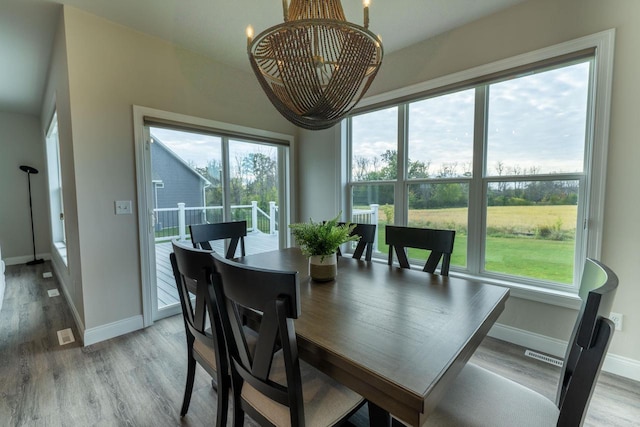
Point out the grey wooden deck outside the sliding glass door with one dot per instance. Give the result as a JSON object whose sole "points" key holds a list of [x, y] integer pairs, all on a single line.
{"points": [[167, 292]]}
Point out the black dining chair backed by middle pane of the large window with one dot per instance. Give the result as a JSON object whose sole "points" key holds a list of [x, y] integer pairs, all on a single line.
{"points": [[439, 242]]}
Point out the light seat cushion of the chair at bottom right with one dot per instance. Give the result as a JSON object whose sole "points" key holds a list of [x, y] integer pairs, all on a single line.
{"points": [[479, 397]]}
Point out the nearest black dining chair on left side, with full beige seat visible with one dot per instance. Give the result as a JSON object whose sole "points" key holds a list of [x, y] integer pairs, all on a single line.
{"points": [[276, 388]]}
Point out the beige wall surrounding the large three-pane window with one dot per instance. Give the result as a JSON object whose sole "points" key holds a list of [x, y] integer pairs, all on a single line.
{"points": [[526, 27]]}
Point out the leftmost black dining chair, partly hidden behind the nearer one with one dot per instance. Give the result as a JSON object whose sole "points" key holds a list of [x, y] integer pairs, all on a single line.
{"points": [[192, 269]]}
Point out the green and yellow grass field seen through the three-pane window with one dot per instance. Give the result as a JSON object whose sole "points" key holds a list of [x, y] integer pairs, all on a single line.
{"points": [[514, 245]]}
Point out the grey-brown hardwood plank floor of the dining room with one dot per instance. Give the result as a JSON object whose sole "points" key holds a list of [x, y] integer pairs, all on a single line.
{"points": [[138, 379]]}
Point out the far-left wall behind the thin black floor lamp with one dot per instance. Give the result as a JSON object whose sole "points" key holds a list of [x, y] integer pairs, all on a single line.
{"points": [[22, 143]]}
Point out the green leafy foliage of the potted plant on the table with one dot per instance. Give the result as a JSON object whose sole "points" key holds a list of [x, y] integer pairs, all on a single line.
{"points": [[322, 238]]}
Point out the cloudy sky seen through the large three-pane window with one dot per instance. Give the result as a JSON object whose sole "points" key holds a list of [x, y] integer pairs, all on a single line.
{"points": [[538, 121]]}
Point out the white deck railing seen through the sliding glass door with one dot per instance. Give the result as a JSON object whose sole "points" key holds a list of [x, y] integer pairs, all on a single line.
{"points": [[171, 223]]}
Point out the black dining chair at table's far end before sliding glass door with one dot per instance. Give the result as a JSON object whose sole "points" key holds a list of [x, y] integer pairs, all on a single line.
{"points": [[203, 234]]}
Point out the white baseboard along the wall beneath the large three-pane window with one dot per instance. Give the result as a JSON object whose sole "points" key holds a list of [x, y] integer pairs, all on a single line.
{"points": [[614, 364]]}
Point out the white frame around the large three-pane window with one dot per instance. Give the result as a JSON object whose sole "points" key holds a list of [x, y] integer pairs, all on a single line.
{"points": [[596, 149]]}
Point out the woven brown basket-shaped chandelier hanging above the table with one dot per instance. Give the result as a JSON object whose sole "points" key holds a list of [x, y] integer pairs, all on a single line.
{"points": [[315, 66]]}
